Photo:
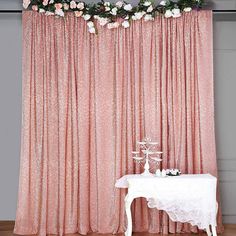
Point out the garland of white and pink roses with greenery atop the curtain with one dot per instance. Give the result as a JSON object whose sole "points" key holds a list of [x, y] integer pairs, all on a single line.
{"points": [[107, 13]]}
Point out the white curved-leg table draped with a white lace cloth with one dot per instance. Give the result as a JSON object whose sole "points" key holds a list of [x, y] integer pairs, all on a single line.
{"points": [[186, 198]]}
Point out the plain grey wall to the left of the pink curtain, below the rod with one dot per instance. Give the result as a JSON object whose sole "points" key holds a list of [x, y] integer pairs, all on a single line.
{"points": [[10, 112]]}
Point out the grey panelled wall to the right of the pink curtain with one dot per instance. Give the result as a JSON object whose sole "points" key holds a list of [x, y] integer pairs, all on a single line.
{"points": [[225, 108]]}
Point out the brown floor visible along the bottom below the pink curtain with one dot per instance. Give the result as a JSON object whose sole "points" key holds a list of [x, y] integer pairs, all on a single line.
{"points": [[6, 228]]}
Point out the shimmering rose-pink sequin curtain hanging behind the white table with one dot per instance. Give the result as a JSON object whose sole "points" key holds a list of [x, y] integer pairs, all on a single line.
{"points": [[88, 98]]}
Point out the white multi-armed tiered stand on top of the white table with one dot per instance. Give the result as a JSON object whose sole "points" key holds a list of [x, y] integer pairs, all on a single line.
{"points": [[148, 148]]}
